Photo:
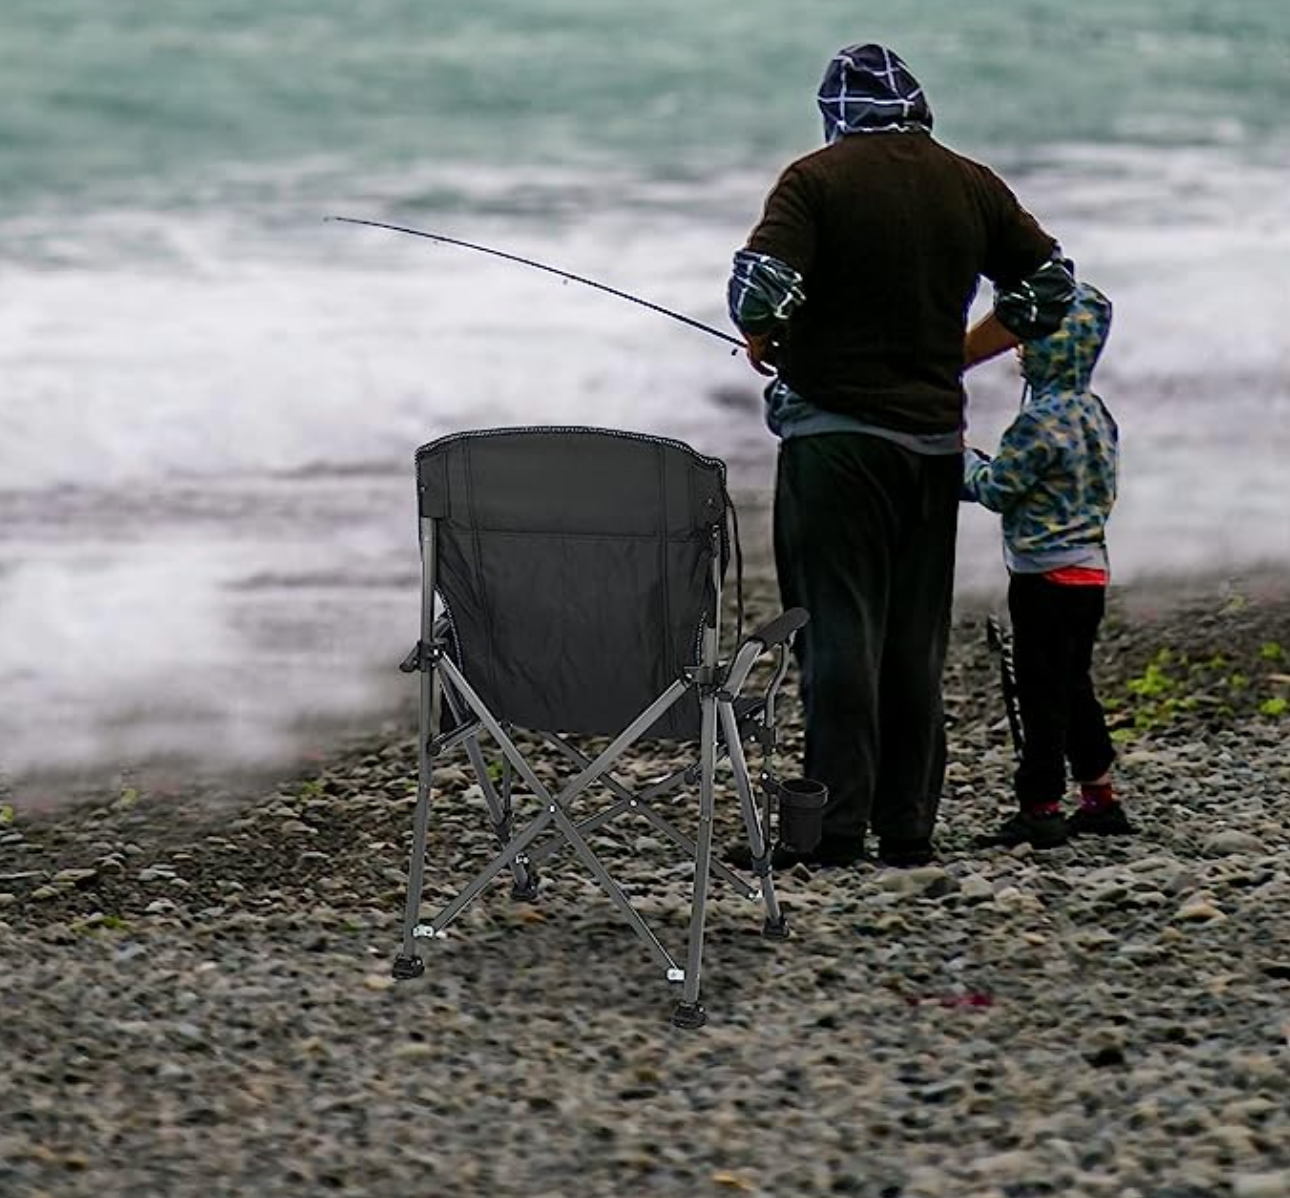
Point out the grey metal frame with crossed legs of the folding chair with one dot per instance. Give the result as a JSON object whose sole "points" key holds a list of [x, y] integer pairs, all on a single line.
{"points": [[727, 719]]}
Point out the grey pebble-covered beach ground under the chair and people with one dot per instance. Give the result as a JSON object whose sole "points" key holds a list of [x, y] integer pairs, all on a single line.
{"points": [[197, 992]]}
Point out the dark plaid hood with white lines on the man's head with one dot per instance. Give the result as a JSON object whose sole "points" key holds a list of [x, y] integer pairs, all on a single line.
{"points": [[870, 90]]}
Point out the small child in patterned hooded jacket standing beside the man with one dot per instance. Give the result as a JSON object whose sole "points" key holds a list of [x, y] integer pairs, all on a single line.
{"points": [[1055, 483]]}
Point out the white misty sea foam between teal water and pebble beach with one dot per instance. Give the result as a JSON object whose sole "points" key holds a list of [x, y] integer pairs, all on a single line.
{"points": [[206, 440]]}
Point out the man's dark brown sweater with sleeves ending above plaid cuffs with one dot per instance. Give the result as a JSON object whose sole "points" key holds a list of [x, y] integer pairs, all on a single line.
{"points": [[891, 233]]}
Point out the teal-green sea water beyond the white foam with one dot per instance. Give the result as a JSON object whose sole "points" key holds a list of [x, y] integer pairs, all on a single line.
{"points": [[197, 101]]}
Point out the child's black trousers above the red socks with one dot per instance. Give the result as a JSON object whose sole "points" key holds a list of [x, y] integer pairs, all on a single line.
{"points": [[1055, 629]]}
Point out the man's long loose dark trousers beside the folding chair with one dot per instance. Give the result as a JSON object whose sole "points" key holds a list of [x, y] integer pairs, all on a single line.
{"points": [[865, 541]]}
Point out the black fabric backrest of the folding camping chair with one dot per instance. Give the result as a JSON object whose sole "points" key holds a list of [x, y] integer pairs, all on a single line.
{"points": [[576, 568]]}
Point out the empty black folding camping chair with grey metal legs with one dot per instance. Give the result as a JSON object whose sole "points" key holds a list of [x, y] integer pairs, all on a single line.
{"points": [[580, 573]]}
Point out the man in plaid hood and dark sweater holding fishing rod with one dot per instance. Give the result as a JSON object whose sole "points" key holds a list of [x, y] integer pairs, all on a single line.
{"points": [[855, 291]]}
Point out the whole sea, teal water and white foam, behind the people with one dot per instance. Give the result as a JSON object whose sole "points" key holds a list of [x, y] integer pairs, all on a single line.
{"points": [[210, 395]]}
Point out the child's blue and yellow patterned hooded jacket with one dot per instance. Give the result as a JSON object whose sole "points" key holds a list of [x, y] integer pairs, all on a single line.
{"points": [[1055, 475]]}
